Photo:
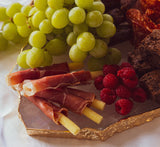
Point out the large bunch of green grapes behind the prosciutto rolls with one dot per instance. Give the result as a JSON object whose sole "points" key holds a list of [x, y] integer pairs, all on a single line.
{"points": [[78, 25]]}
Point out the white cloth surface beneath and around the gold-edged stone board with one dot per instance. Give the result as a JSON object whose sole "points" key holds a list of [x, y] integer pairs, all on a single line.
{"points": [[12, 130]]}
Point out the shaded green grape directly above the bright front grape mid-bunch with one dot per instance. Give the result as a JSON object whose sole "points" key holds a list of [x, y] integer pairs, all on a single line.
{"points": [[80, 28]]}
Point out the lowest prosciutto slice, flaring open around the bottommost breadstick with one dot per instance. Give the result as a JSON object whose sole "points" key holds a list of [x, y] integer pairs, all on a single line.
{"points": [[49, 109]]}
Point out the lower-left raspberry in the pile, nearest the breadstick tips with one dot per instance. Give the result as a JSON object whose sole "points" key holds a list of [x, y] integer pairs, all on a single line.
{"points": [[108, 96]]}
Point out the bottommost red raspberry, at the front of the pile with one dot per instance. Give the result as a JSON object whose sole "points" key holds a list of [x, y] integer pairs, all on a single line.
{"points": [[124, 106]]}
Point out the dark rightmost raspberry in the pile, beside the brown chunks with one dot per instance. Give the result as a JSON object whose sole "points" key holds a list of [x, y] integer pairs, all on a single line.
{"points": [[139, 95]]}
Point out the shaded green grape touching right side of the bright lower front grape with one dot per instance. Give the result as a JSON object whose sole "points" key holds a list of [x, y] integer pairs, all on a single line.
{"points": [[100, 50]]}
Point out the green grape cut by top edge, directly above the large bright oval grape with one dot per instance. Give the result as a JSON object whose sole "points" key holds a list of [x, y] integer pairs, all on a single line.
{"points": [[56, 4]]}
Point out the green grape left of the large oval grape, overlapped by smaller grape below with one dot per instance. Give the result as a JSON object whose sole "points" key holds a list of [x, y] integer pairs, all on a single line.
{"points": [[37, 18]]}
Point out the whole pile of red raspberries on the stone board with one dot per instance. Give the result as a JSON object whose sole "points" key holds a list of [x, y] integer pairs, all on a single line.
{"points": [[120, 82]]}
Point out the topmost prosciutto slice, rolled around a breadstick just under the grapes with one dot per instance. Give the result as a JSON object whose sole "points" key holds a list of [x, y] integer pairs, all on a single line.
{"points": [[36, 73]]}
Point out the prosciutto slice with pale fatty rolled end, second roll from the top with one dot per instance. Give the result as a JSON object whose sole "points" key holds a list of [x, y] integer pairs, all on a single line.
{"points": [[31, 87]]}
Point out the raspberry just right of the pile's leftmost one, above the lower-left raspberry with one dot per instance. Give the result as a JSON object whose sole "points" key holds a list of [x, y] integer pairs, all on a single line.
{"points": [[110, 81]]}
